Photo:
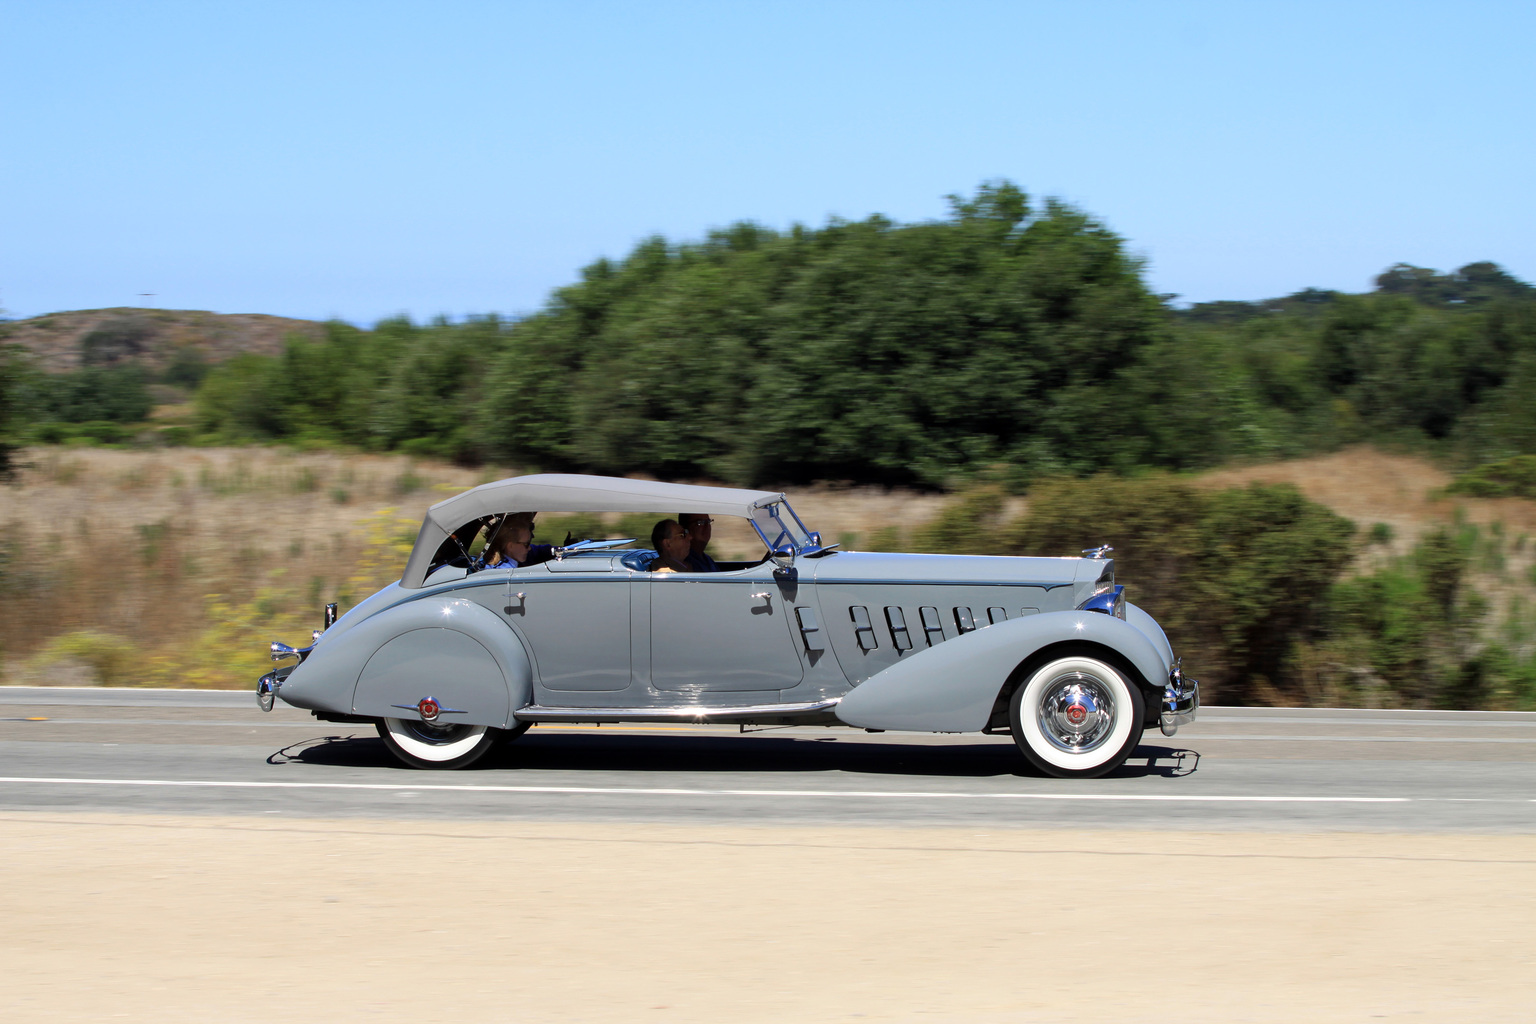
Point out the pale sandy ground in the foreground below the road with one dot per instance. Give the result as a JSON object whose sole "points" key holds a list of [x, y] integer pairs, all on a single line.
{"points": [[151, 919]]}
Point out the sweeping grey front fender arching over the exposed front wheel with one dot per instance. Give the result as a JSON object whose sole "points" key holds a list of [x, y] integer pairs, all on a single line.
{"points": [[953, 687]]}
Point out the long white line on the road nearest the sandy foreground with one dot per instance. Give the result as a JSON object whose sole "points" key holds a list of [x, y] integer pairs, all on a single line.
{"points": [[638, 791]]}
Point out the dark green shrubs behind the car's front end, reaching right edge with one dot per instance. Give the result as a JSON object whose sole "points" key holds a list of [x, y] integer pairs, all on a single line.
{"points": [[1257, 592]]}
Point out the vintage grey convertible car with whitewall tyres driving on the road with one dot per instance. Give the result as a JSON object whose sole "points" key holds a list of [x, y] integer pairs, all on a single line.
{"points": [[452, 659]]}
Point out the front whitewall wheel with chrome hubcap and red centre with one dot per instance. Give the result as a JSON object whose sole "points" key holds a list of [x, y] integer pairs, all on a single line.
{"points": [[1078, 718]]}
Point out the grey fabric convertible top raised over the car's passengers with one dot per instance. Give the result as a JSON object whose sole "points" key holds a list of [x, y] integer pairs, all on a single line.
{"points": [[571, 494]]}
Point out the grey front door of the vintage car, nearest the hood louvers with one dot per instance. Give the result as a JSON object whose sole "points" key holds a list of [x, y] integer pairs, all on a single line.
{"points": [[730, 632]]}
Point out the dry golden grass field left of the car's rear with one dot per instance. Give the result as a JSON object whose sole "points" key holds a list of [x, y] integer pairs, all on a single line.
{"points": [[139, 547]]}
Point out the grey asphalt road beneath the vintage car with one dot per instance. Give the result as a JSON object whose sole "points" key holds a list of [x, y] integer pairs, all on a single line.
{"points": [[199, 753]]}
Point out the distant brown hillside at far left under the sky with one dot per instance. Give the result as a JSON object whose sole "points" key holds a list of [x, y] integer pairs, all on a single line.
{"points": [[108, 337]]}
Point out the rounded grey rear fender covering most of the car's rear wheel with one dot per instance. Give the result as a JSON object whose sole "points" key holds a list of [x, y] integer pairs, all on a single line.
{"points": [[439, 647]]}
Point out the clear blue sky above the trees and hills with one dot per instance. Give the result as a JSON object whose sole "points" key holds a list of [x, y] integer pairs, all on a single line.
{"points": [[363, 160]]}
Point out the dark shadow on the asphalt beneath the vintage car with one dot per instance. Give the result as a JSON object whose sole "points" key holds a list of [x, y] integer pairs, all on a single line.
{"points": [[858, 755]]}
